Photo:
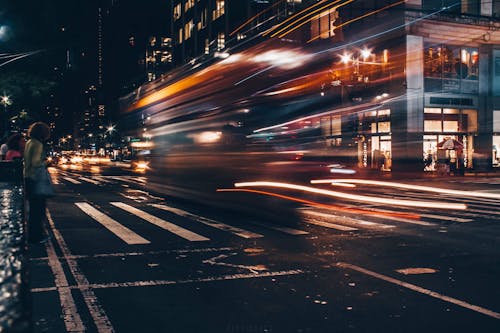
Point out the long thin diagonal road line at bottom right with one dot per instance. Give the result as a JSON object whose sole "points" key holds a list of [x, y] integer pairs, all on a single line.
{"points": [[421, 290]]}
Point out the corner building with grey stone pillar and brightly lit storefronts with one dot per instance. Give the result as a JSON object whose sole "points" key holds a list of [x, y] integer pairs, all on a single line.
{"points": [[435, 68]]}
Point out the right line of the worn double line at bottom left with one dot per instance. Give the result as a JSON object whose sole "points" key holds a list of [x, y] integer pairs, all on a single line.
{"points": [[97, 313]]}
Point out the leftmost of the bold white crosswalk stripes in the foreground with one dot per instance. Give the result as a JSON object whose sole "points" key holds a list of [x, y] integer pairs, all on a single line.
{"points": [[124, 233]]}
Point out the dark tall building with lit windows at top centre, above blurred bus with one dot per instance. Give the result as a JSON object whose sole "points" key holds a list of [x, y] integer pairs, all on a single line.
{"points": [[204, 27]]}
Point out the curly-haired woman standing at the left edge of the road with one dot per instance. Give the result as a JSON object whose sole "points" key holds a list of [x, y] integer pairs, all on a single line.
{"points": [[34, 157]]}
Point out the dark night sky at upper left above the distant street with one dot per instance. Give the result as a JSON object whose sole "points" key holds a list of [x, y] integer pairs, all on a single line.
{"points": [[60, 28]]}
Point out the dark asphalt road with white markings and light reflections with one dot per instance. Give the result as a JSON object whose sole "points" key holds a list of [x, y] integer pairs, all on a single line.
{"points": [[127, 257]]}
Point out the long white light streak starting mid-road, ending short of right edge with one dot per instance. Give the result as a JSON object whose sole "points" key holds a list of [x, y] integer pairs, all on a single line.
{"points": [[362, 198]]}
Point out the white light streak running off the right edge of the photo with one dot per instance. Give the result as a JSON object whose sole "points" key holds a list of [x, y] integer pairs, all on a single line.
{"points": [[410, 187]]}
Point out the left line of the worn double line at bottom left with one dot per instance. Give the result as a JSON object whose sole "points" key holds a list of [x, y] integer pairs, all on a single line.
{"points": [[72, 320]]}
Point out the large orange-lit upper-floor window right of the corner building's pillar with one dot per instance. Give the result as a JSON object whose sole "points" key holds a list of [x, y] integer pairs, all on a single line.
{"points": [[451, 68]]}
